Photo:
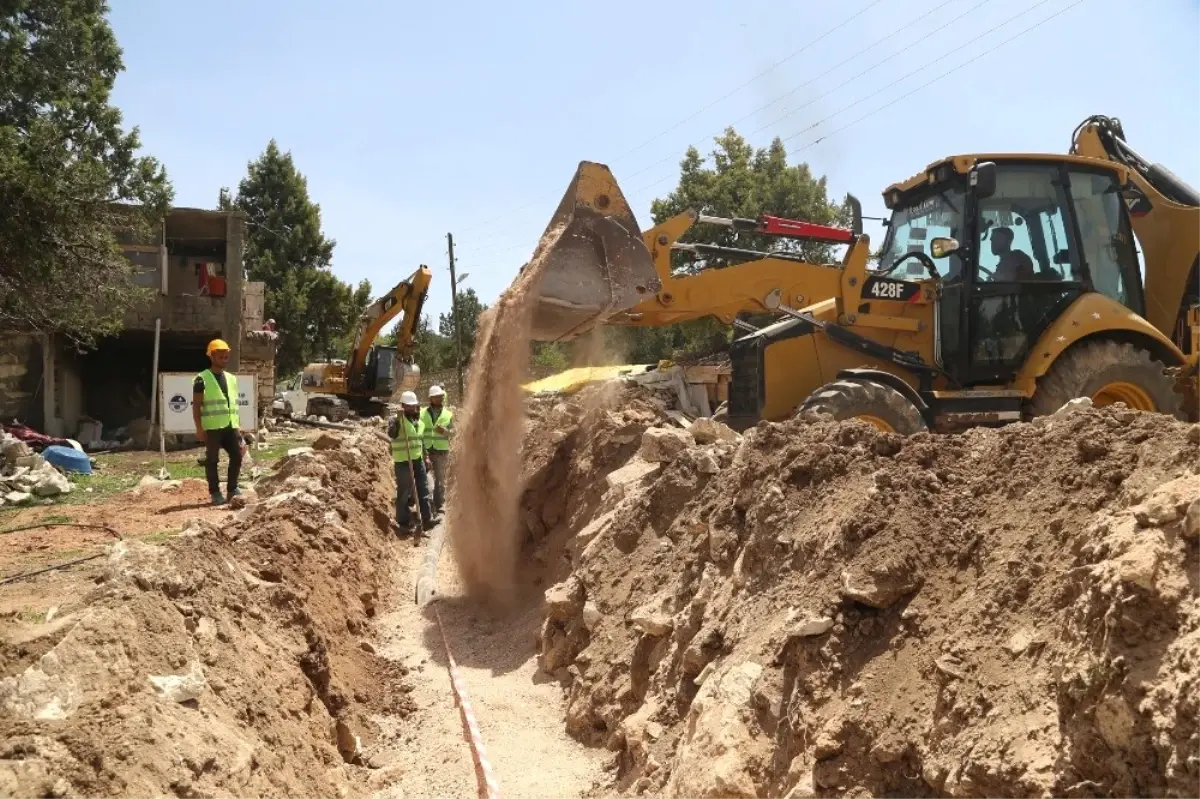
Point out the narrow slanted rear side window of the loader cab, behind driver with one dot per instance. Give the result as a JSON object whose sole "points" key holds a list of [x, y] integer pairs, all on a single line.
{"points": [[1106, 237]]}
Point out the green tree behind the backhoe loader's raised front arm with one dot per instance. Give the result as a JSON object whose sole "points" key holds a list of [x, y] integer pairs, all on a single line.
{"points": [[745, 183]]}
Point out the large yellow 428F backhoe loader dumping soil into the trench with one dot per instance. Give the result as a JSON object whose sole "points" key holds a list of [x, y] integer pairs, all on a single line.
{"points": [[1009, 285]]}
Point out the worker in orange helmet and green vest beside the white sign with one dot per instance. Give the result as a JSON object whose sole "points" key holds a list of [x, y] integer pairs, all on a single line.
{"points": [[215, 413]]}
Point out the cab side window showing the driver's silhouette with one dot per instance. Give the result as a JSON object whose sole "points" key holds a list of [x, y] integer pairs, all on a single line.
{"points": [[1023, 230]]}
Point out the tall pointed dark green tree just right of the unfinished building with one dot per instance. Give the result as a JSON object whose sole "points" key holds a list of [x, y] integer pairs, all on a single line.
{"points": [[316, 314]]}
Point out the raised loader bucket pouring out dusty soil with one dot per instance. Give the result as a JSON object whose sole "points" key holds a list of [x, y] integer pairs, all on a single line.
{"points": [[592, 260]]}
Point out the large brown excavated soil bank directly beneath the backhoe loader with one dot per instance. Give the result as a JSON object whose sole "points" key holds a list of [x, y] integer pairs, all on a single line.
{"points": [[820, 609]]}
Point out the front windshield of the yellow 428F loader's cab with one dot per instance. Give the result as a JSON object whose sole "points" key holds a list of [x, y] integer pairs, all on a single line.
{"points": [[915, 226]]}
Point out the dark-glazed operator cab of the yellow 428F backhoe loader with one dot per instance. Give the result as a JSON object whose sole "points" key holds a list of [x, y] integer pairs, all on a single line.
{"points": [[1016, 243]]}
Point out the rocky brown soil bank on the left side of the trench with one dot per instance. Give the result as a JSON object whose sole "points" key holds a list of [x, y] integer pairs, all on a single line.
{"points": [[230, 663]]}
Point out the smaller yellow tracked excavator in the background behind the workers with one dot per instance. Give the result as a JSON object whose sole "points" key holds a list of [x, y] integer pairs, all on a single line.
{"points": [[374, 373]]}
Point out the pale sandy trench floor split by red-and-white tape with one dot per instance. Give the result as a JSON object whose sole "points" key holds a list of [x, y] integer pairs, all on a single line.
{"points": [[520, 711]]}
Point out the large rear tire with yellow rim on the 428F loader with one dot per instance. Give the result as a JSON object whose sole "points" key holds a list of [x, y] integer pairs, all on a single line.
{"points": [[1108, 373]]}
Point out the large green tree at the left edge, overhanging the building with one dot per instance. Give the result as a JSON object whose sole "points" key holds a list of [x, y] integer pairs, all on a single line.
{"points": [[70, 177]]}
